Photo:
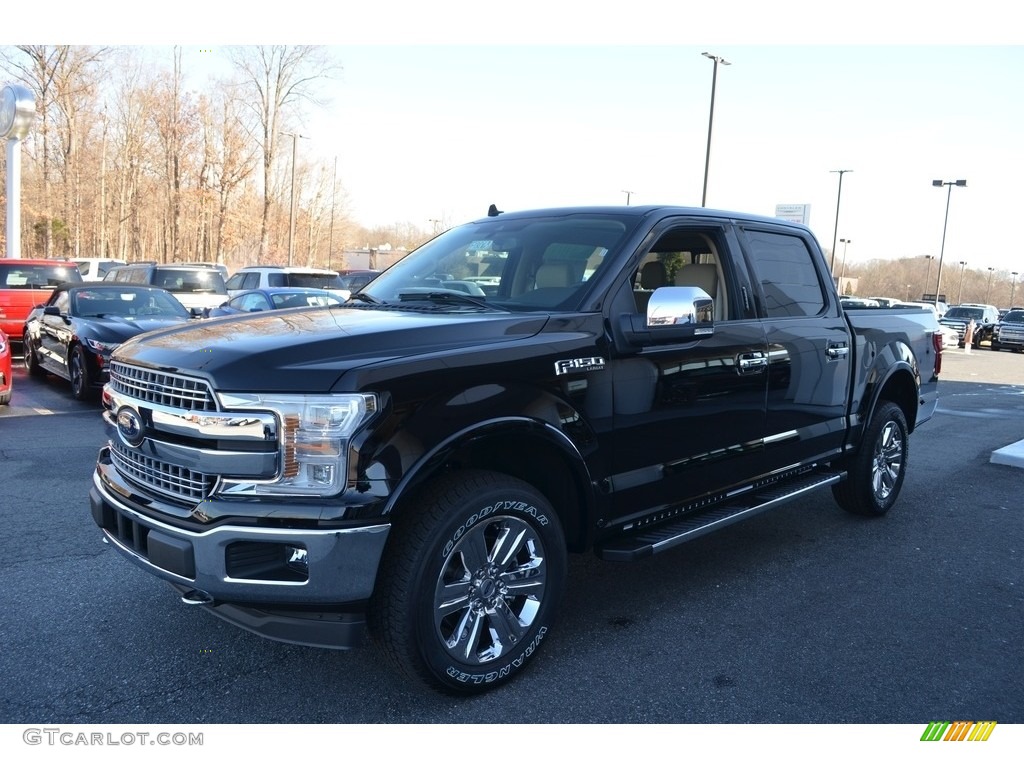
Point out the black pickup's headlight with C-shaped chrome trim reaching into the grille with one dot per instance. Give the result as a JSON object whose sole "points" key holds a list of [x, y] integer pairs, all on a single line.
{"points": [[315, 435]]}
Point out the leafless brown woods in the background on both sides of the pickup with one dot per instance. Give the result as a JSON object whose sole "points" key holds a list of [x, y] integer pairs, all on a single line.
{"points": [[125, 162]]}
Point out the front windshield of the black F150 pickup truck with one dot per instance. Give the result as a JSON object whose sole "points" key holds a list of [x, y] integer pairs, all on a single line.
{"points": [[543, 263]]}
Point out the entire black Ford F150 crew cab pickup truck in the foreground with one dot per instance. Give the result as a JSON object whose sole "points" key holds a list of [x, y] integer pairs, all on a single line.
{"points": [[416, 465]]}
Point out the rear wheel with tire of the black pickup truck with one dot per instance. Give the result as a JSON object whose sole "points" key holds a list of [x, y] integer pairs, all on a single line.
{"points": [[876, 473]]}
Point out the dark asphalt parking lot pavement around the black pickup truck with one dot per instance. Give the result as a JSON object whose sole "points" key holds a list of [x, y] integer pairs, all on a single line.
{"points": [[801, 616]]}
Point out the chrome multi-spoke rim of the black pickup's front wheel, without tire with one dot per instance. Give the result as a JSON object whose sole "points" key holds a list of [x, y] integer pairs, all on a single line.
{"points": [[491, 589]]}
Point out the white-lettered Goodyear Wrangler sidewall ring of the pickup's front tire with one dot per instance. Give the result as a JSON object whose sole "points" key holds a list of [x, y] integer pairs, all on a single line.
{"points": [[509, 499]]}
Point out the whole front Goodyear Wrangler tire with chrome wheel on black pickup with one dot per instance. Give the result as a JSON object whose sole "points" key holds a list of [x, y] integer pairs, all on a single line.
{"points": [[471, 582]]}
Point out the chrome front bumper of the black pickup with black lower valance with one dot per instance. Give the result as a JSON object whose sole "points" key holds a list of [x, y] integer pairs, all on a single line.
{"points": [[287, 584]]}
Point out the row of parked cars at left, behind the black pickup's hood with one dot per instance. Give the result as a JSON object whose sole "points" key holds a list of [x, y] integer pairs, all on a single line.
{"points": [[67, 317]]}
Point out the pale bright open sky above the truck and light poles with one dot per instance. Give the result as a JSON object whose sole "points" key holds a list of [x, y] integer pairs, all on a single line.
{"points": [[443, 109]]}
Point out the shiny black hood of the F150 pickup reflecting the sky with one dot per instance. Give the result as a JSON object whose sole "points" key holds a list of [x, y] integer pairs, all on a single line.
{"points": [[307, 351]]}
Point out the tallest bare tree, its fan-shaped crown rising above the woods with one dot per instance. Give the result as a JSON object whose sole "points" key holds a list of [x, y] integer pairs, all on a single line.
{"points": [[278, 81]]}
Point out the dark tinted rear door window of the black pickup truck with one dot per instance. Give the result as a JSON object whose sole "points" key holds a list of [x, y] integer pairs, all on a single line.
{"points": [[785, 269]]}
